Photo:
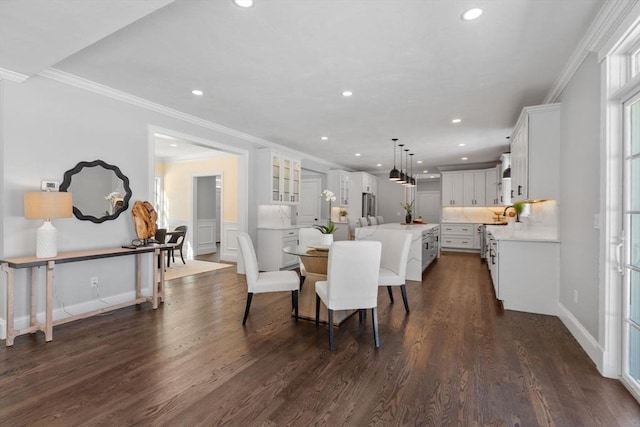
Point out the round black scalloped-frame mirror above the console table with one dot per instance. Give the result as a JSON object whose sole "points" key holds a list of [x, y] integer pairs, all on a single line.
{"points": [[100, 191]]}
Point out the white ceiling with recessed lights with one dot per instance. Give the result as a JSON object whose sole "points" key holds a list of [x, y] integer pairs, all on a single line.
{"points": [[276, 71]]}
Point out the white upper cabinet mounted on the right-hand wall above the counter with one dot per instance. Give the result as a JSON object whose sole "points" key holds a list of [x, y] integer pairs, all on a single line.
{"points": [[535, 154]]}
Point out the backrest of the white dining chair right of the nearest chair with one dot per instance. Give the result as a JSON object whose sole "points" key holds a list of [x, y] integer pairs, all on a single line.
{"points": [[395, 249]]}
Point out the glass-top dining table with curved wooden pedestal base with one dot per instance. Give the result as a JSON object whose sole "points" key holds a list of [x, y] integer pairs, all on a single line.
{"points": [[315, 259]]}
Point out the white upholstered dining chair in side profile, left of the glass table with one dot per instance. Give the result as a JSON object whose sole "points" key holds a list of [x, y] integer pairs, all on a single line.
{"points": [[262, 282]]}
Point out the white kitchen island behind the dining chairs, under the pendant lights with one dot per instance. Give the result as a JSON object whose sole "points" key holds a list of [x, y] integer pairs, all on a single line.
{"points": [[424, 244]]}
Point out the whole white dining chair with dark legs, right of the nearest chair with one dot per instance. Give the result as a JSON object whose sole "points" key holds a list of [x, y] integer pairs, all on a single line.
{"points": [[393, 263]]}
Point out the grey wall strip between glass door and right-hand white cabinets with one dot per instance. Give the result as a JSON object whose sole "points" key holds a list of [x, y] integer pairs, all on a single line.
{"points": [[580, 195]]}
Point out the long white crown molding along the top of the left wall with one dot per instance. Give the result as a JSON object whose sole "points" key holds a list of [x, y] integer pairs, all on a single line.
{"points": [[79, 82]]}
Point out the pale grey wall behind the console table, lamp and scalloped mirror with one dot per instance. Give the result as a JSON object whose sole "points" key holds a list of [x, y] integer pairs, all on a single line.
{"points": [[48, 127]]}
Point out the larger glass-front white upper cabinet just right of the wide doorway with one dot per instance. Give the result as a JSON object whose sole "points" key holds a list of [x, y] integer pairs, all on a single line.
{"points": [[278, 178]]}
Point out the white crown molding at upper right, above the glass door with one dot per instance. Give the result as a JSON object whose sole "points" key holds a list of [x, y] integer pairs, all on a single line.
{"points": [[603, 26]]}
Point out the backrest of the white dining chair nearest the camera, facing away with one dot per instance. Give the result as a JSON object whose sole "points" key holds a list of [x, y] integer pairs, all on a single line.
{"points": [[352, 275]]}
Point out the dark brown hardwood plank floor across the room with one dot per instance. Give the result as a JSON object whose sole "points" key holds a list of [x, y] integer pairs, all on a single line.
{"points": [[456, 359]]}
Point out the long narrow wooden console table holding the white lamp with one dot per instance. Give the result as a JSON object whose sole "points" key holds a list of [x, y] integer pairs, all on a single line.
{"points": [[9, 265]]}
